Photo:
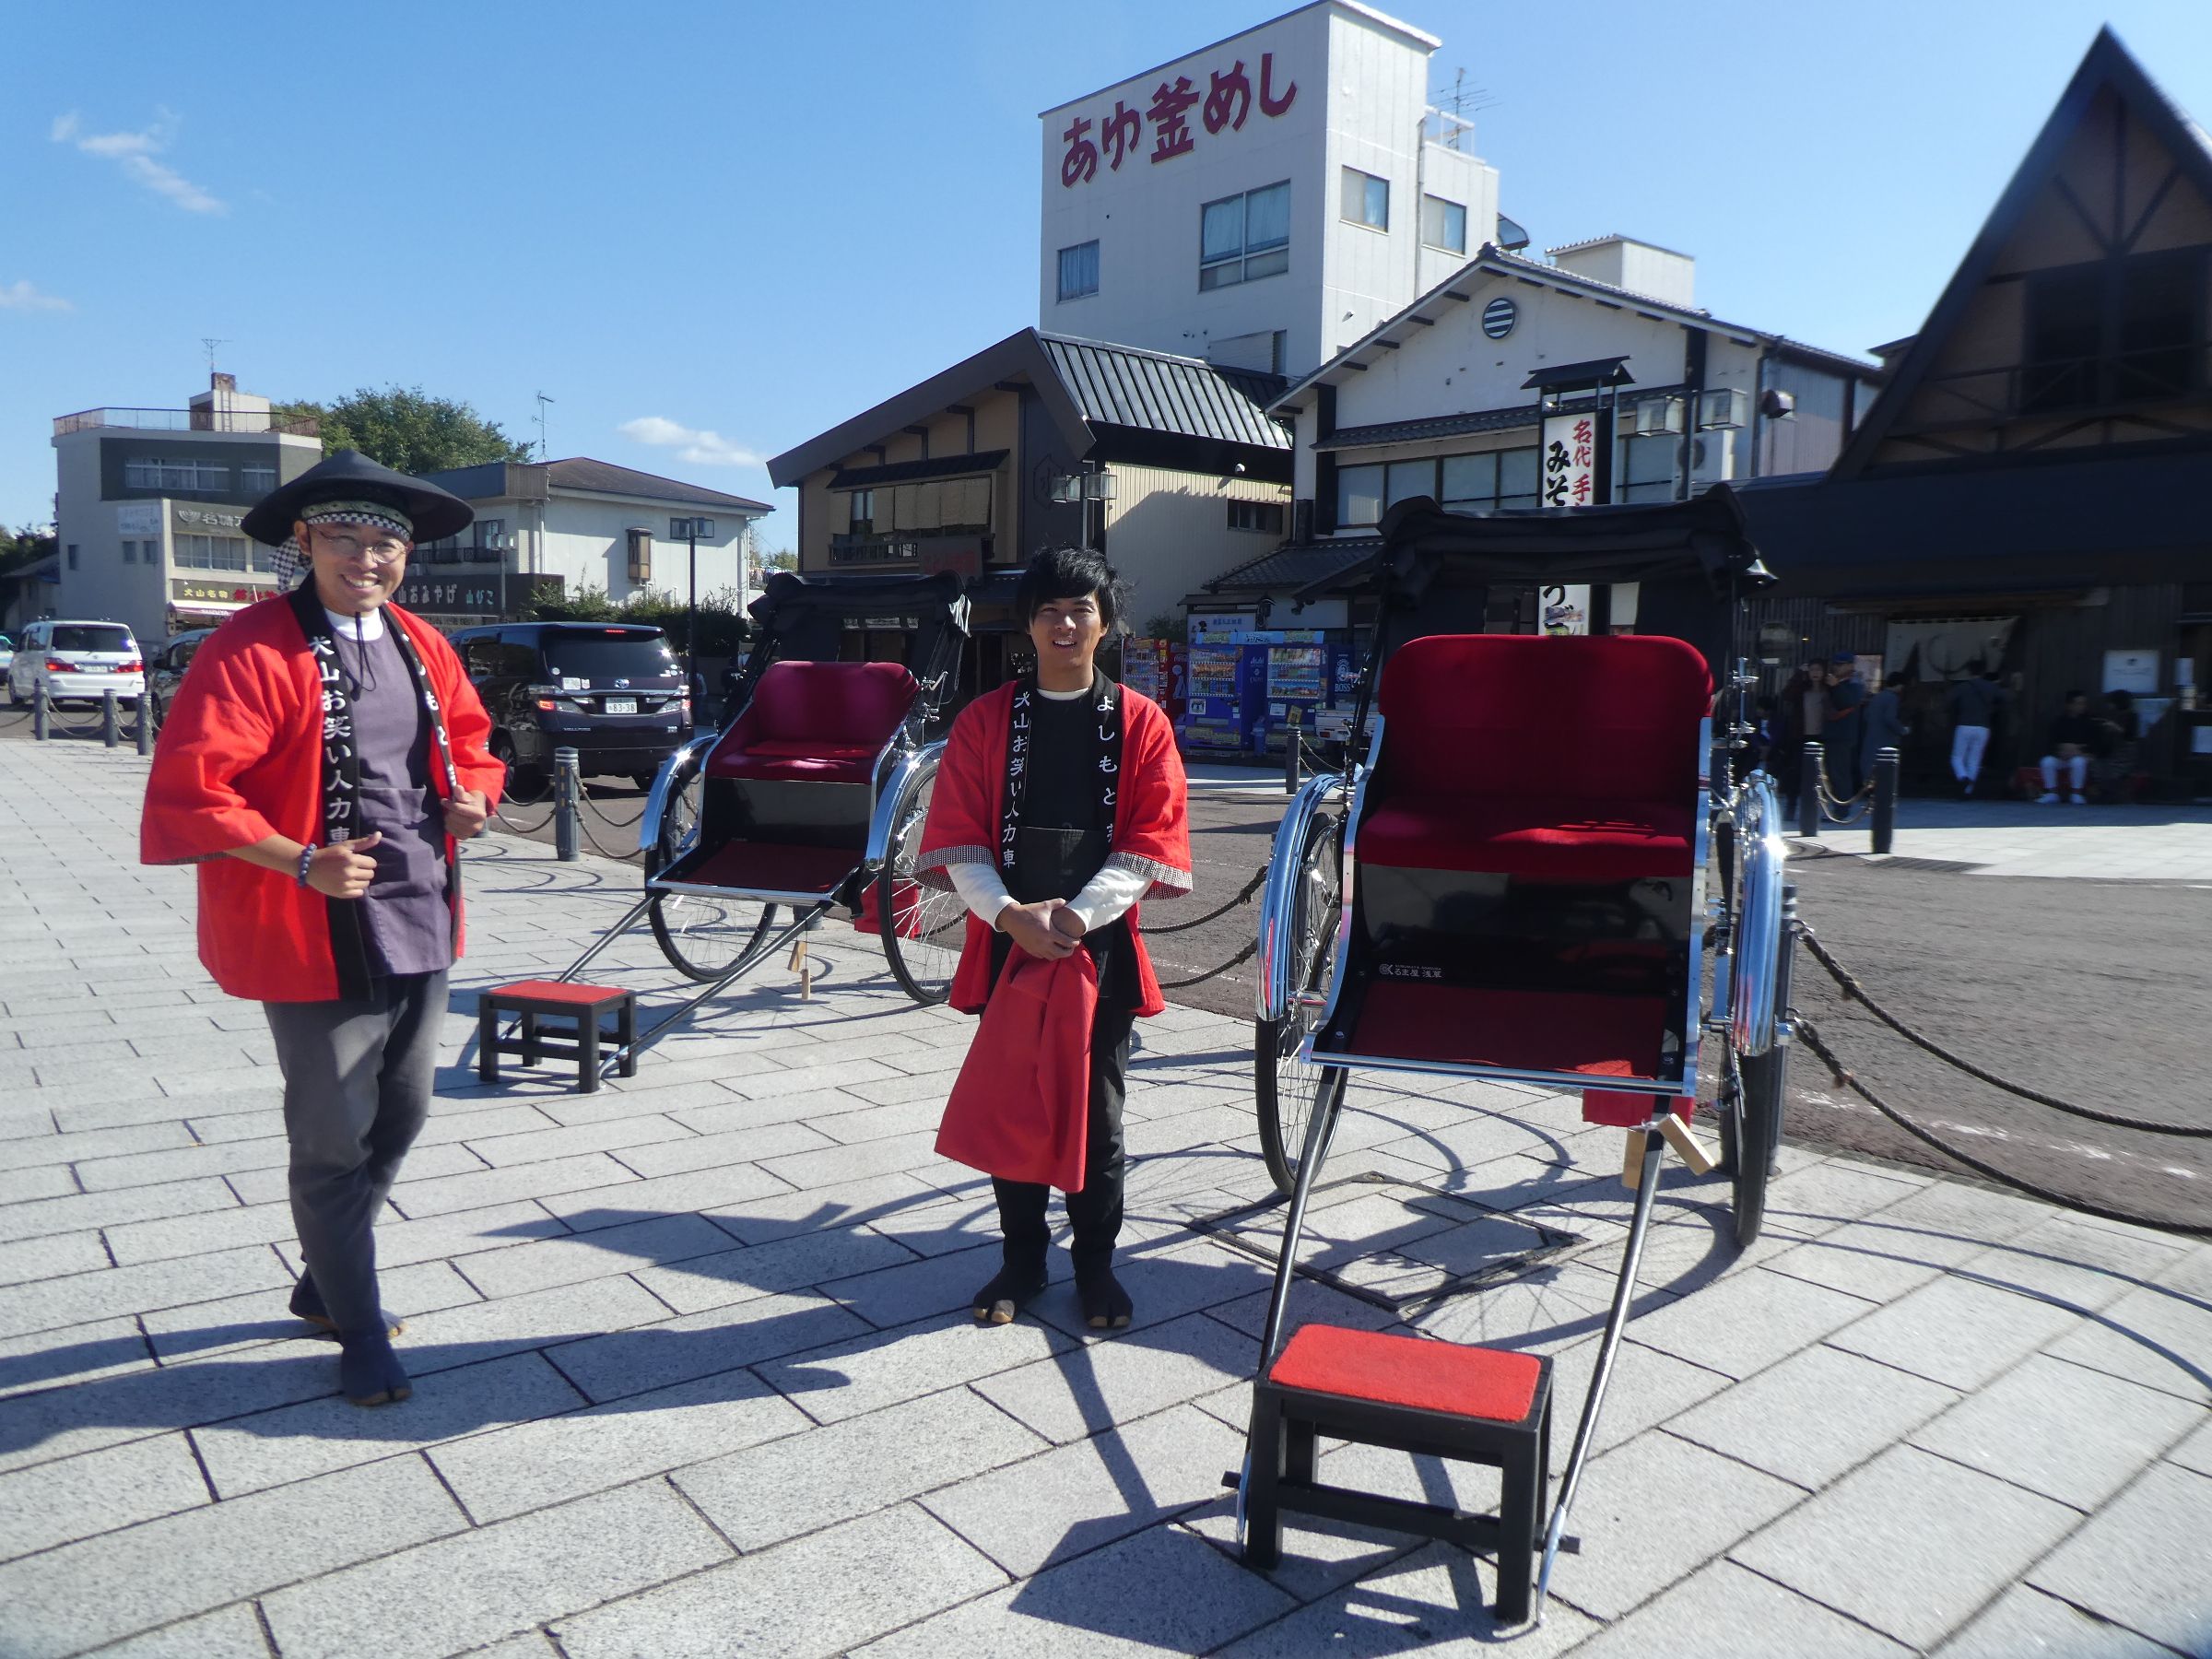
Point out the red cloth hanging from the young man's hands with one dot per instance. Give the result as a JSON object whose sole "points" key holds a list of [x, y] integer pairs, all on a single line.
{"points": [[1023, 1100]]}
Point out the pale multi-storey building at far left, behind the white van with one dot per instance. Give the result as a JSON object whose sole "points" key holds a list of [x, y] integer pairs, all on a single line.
{"points": [[149, 505]]}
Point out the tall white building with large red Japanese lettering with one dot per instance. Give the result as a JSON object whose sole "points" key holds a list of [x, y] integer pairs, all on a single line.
{"points": [[1262, 202]]}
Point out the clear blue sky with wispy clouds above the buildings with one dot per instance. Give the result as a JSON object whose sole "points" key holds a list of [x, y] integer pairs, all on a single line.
{"points": [[711, 231]]}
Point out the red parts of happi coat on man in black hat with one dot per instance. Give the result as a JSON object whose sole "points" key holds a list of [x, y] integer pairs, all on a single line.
{"points": [[242, 760]]}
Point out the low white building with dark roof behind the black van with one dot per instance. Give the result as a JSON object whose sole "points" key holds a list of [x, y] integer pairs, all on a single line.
{"points": [[578, 523]]}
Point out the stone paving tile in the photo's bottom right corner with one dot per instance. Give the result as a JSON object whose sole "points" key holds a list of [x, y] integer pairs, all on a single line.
{"points": [[2142, 1561]]}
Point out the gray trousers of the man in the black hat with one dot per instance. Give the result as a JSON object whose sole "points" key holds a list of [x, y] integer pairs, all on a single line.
{"points": [[357, 1085]]}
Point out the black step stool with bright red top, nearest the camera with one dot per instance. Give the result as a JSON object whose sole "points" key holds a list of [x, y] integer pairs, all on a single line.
{"points": [[1415, 1395]]}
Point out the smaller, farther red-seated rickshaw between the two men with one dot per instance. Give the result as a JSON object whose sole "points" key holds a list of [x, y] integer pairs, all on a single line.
{"points": [[811, 800]]}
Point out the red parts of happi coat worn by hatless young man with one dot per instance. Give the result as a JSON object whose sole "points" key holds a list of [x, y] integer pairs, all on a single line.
{"points": [[1151, 824]]}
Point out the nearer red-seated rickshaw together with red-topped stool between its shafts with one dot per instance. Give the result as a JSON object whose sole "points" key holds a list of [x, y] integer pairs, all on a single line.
{"points": [[1507, 881]]}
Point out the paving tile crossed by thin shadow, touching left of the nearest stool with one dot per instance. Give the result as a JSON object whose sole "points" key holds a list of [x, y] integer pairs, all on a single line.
{"points": [[1140, 1373]]}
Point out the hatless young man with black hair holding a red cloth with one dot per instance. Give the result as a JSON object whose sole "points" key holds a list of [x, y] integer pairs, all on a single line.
{"points": [[1061, 804]]}
